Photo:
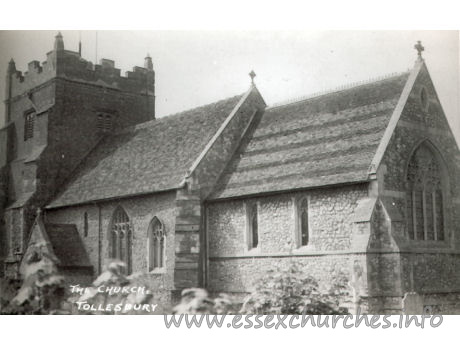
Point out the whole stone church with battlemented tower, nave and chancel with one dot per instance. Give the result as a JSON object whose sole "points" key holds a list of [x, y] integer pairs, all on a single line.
{"points": [[361, 182]]}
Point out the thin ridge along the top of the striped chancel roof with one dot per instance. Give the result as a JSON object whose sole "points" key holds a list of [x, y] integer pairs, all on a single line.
{"points": [[343, 87]]}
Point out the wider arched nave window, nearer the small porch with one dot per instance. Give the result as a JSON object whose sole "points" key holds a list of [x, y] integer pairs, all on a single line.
{"points": [[121, 237]]}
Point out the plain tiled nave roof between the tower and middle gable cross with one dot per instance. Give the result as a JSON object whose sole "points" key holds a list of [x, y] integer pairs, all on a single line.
{"points": [[150, 157]]}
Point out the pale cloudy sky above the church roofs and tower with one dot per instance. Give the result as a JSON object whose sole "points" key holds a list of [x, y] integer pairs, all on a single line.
{"points": [[194, 68]]}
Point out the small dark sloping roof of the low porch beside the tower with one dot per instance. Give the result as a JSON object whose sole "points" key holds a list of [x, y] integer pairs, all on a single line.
{"points": [[67, 245]]}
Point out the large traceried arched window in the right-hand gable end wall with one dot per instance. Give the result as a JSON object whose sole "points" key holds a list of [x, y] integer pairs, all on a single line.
{"points": [[425, 203]]}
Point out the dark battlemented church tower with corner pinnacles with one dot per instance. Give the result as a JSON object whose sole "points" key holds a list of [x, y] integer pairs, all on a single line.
{"points": [[56, 112]]}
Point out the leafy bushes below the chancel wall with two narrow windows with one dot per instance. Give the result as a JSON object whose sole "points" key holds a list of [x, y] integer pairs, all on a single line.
{"points": [[280, 291]]}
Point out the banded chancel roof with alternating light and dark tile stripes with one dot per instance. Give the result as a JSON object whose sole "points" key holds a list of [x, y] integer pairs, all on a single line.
{"points": [[323, 140]]}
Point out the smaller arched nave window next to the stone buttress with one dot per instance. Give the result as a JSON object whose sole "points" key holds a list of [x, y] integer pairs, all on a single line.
{"points": [[156, 245]]}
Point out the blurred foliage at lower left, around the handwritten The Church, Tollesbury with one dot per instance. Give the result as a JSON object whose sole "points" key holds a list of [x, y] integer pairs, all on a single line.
{"points": [[43, 290]]}
